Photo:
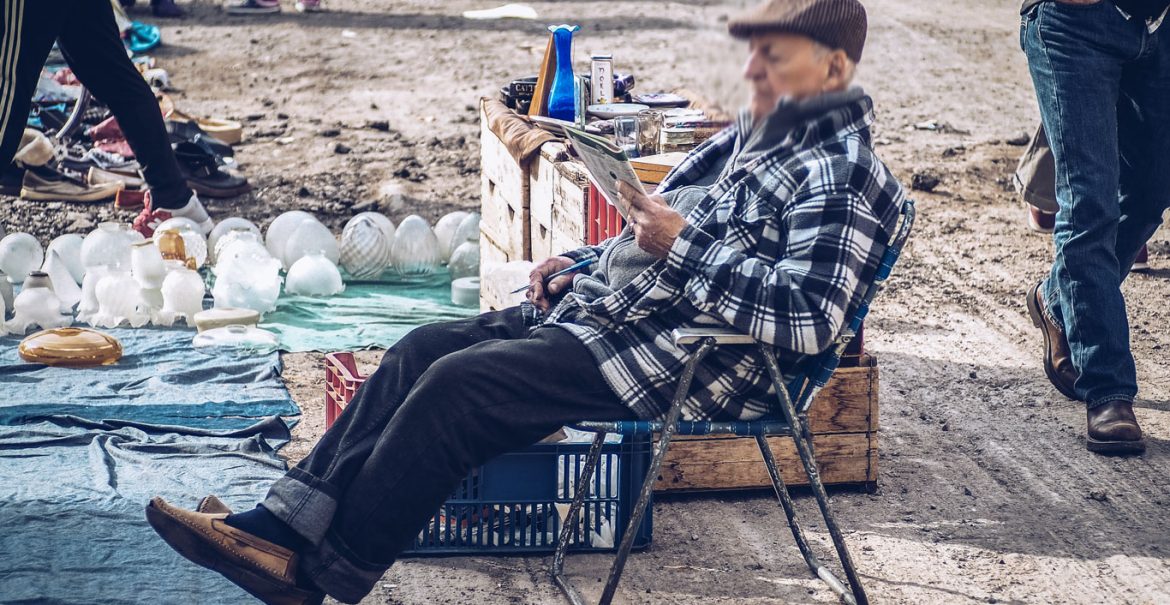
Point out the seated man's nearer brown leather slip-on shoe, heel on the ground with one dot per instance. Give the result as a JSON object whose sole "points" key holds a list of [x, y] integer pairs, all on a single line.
{"points": [[266, 570]]}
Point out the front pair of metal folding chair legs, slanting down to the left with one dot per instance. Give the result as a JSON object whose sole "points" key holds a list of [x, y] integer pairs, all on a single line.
{"points": [[671, 425]]}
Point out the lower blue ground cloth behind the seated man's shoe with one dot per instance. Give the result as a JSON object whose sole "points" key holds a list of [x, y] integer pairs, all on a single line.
{"points": [[72, 507]]}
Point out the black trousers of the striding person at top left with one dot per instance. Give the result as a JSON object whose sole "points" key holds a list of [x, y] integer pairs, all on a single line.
{"points": [[90, 39]]}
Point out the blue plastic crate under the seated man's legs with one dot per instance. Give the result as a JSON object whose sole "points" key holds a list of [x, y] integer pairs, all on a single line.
{"points": [[511, 505]]}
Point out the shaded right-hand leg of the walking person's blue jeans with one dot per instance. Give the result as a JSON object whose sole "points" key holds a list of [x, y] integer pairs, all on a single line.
{"points": [[1144, 129]]}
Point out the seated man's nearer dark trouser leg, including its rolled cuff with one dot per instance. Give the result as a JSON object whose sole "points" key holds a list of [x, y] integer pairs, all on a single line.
{"points": [[469, 408]]}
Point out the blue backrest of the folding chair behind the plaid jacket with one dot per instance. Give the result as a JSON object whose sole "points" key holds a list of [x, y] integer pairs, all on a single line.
{"points": [[804, 388]]}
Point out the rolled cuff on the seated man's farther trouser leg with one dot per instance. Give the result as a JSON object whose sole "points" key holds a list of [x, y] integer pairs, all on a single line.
{"points": [[304, 503]]}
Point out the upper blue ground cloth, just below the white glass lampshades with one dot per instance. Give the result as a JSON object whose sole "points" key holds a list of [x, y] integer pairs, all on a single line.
{"points": [[161, 380]]}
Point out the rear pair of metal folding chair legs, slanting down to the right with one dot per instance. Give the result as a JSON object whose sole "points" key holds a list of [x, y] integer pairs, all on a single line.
{"points": [[803, 441]]}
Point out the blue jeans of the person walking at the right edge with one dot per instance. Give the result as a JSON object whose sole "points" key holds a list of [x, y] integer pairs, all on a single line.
{"points": [[1104, 87]]}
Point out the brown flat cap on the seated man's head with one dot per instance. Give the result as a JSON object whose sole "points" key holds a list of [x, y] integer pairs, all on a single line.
{"points": [[836, 24]]}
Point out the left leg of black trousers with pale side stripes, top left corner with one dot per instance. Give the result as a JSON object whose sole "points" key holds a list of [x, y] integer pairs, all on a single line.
{"points": [[29, 31]]}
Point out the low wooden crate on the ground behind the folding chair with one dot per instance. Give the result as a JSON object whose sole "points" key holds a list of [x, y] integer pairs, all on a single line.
{"points": [[844, 421]]}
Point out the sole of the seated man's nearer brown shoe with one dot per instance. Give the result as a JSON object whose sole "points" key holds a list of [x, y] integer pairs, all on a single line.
{"points": [[192, 547]]}
